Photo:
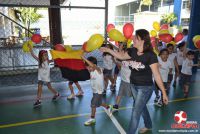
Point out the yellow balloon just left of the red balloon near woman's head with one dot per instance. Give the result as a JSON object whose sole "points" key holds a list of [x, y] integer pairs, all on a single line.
{"points": [[116, 35]]}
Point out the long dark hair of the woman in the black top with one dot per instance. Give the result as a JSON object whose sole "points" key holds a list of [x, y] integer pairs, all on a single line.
{"points": [[144, 35]]}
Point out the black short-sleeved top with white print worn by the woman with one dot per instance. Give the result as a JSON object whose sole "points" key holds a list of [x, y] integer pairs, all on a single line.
{"points": [[141, 74]]}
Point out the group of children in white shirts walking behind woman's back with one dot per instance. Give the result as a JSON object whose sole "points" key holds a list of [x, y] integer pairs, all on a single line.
{"points": [[177, 62]]}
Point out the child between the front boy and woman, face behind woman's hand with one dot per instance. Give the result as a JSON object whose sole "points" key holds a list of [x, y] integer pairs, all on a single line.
{"points": [[108, 62]]}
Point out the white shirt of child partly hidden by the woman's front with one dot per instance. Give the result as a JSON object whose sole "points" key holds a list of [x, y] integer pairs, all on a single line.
{"points": [[125, 71]]}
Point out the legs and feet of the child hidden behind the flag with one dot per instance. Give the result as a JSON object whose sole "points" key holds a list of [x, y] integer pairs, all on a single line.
{"points": [[80, 92]]}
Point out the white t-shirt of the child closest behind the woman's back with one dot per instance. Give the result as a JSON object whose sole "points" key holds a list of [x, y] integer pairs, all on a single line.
{"points": [[164, 69]]}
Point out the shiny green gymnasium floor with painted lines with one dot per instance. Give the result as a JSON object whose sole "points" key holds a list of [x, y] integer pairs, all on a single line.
{"points": [[17, 115]]}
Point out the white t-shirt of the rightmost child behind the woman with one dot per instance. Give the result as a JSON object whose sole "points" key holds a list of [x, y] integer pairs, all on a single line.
{"points": [[187, 67]]}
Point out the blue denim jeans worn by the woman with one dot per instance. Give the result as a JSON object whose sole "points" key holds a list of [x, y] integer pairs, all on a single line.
{"points": [[141, 95]]}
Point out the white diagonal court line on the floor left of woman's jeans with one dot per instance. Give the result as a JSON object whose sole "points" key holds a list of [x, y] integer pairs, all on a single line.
{"points": [[115, 122]]}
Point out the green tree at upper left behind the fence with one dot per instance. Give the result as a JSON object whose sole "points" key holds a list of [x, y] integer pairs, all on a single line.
{"points": [[27, 16]]}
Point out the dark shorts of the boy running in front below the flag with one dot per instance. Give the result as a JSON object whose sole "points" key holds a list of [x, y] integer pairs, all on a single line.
{"points": [[96, 100]]}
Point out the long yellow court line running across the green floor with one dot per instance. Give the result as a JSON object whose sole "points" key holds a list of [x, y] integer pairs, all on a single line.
{"points": [[79, 115]]}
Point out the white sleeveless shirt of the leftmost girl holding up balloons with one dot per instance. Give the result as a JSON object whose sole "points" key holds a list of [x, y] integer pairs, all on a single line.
{"points": [[44, 72]]}
